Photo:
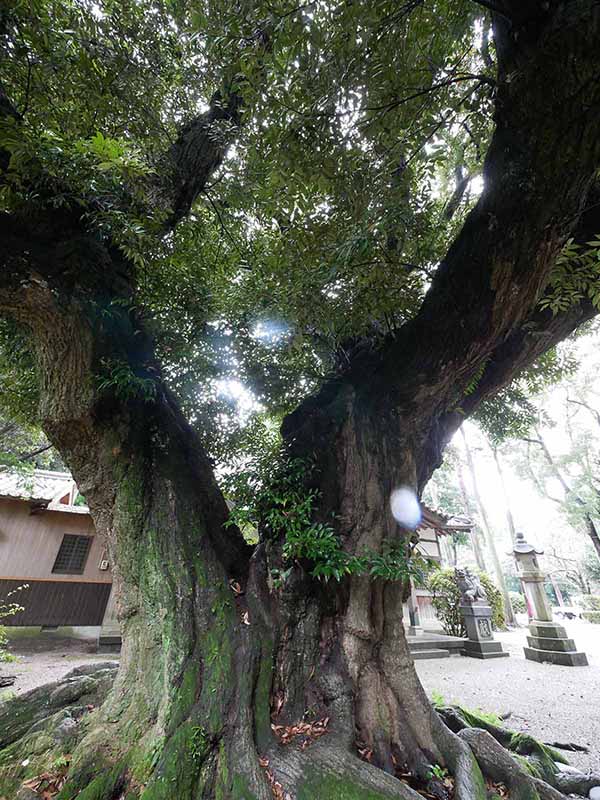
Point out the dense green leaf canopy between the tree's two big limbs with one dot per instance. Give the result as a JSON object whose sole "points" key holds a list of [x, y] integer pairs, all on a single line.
{"points": [[322, 224]]}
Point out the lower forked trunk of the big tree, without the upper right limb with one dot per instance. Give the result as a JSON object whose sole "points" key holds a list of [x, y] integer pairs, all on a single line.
{"points": [[214, 655]]}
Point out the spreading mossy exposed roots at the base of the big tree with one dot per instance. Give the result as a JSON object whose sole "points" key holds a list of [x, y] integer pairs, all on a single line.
{"points": [[41, 726]]}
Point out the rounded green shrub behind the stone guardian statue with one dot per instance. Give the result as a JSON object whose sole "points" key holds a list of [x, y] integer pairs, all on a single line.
{"points": [[446, 601]]}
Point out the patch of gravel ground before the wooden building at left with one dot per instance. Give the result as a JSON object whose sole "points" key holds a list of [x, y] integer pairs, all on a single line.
{"points": [[42, 660]]}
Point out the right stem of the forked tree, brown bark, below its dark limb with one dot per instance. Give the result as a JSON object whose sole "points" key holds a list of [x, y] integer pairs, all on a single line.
{"points": [[359, 451]]}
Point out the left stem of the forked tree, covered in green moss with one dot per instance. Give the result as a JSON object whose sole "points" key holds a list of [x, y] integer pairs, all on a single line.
{"points": [[178, 719]]}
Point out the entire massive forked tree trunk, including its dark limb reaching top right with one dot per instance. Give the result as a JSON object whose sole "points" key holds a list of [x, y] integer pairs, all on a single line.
{"points": [[207, 666]]}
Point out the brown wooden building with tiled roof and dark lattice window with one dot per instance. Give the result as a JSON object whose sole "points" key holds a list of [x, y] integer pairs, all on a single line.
{"points": [[48, 544]]}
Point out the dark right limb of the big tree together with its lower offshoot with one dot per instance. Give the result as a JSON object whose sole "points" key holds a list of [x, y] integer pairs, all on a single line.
{"points": [[480, 315]]}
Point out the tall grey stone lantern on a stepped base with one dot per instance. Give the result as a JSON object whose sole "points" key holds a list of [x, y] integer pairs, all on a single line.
{"points": [[548, 642]]}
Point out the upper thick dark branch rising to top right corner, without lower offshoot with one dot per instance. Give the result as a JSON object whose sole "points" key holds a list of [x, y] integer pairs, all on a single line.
{"points": [[494, 272]]}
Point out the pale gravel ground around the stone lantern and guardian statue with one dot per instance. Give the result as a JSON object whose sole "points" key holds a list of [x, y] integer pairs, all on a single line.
{"points": [[554, 704]]}
